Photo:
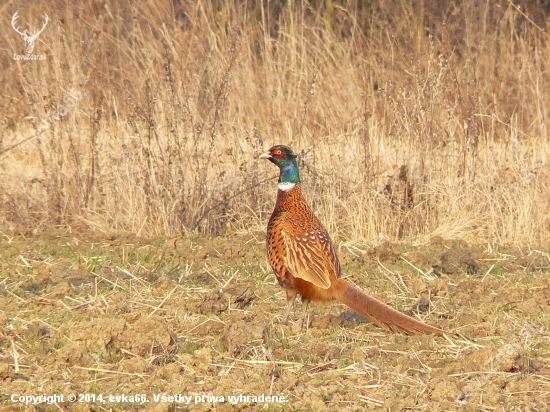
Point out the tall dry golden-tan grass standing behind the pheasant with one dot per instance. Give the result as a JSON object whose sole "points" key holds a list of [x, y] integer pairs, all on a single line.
{"points": [[178, 99]]}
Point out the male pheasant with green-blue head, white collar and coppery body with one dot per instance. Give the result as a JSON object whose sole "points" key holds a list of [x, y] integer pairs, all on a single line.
{"points": [[304, 260]]}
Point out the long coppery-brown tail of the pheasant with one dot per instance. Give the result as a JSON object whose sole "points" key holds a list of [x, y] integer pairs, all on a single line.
{"points": [[377, 312]]}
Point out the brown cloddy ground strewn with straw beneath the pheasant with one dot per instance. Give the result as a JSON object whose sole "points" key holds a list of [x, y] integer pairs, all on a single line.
{"points": [[87, 314]]}
